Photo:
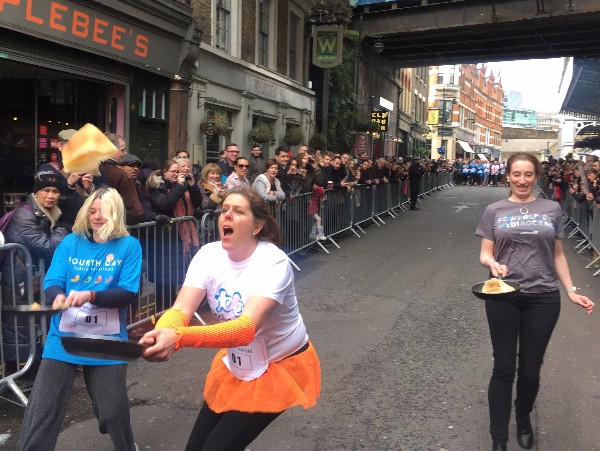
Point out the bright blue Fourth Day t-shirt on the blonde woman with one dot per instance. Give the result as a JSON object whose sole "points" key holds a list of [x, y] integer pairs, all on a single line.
{"points": [[79, 264]]}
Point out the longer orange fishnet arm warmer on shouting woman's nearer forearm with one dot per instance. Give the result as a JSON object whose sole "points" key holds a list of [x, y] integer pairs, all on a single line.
{"points": [[237, 332]]}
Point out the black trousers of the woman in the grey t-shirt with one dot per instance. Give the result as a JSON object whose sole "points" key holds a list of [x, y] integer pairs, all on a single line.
{"points": [[524, 324]]}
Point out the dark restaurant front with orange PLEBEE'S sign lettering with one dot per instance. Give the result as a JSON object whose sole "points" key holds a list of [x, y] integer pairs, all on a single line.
{"points": [[111, 63]]}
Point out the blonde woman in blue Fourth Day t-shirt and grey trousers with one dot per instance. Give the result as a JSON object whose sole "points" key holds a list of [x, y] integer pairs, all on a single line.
{"points": [[95, 273]]}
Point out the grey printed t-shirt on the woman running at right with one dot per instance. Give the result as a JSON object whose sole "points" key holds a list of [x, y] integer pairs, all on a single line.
{"points": [[524, 235]]}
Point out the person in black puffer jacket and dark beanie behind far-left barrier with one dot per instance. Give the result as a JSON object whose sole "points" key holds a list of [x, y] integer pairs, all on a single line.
{"points": [[33, 225]]}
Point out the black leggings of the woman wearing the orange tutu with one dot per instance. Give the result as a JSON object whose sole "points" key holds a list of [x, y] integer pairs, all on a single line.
{"points": [[229, 431]]}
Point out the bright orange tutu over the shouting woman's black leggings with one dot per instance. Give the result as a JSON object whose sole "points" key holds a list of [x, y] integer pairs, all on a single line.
{"points": [[290, 382]]}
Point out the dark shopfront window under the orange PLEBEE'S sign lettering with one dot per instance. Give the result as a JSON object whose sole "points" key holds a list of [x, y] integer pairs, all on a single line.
{"points": [[35, 105]]}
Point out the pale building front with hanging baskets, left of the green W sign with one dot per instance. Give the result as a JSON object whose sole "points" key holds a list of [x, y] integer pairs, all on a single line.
{"points": [[253, 69]]}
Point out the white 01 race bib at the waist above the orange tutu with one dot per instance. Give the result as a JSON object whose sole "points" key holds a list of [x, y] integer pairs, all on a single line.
{"points": [[247, 362]]}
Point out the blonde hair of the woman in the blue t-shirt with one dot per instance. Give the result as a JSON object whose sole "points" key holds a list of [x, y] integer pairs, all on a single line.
{"points": [[113, 210]]}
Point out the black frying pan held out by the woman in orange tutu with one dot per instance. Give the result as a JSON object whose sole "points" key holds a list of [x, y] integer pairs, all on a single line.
{"points": [[102, 347]]}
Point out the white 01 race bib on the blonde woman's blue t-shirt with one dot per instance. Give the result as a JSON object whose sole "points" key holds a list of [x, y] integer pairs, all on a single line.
{"points": [[90, 319]]}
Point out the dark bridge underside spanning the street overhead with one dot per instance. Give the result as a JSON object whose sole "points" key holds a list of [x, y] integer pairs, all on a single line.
{"points": [[471, 31]]}
